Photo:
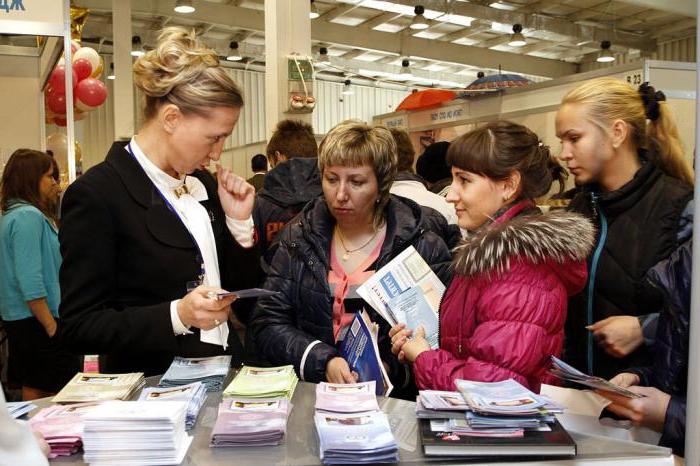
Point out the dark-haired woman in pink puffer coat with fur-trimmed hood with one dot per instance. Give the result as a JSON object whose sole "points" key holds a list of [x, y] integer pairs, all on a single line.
{"points": [[503, 314]]}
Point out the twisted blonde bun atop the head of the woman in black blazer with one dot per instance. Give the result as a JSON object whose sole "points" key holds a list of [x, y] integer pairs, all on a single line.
{"points": [[179, 57]]}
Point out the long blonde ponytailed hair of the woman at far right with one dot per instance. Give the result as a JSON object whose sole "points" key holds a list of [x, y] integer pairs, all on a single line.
{"points": [[608, 99]]}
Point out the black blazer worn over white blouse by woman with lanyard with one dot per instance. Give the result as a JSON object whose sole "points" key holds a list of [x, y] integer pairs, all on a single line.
{"points": [[126, 256]]}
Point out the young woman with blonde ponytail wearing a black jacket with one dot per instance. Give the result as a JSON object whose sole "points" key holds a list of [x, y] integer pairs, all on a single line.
{"points": [[622, 147]]}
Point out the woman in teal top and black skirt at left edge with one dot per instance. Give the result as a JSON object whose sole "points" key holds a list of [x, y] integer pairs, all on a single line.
{"points": [[29, 263]]}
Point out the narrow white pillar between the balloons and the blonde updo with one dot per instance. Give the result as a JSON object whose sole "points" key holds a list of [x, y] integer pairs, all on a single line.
{"points": [[123, 84]]}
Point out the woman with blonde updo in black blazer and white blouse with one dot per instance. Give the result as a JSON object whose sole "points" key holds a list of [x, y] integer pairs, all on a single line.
{"points": [[149, 235]]}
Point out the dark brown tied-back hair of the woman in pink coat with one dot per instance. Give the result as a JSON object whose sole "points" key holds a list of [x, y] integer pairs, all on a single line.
{"points": [[499, 148]]}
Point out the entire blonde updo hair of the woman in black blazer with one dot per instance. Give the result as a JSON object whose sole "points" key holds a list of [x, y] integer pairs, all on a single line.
{"points": [[183, 71]]}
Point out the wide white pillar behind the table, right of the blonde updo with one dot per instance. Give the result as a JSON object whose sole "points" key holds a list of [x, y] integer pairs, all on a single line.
{"points": [[287, 30]]}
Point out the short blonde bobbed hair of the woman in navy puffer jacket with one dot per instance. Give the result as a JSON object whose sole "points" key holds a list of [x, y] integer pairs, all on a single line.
{"points": [[354, 143]]}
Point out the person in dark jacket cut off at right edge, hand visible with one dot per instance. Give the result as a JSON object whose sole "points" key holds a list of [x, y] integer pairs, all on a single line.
{"points": [[664, 384]]}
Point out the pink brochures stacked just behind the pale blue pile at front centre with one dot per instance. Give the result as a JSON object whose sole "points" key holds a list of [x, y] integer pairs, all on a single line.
{"points": [[346, 398]]}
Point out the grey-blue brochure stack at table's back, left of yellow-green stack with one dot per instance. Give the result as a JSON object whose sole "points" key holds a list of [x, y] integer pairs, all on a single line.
{"points": [[210, 371]]}
